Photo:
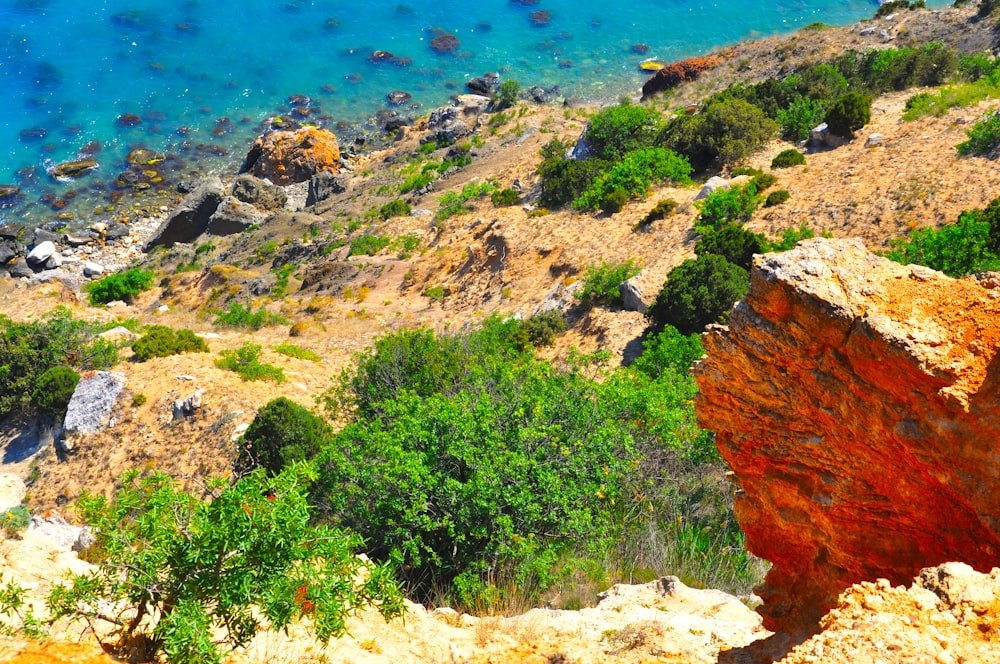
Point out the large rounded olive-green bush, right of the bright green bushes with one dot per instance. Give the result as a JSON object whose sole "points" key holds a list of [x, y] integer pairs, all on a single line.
{"points": [[725, 132]]}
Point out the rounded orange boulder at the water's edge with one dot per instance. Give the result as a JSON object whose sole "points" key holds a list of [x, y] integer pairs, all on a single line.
{"points": [[287, 157]]}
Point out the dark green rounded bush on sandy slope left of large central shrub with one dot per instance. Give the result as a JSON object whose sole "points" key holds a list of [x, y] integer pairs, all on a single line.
{"points": [[281, 434]]}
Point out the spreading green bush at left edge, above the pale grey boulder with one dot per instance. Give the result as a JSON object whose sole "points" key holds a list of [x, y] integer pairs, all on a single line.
{"points": [[29, 349]]}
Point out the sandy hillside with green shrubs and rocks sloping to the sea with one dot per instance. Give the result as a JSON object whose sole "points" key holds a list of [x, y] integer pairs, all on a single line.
{"points": [[472, 347]]}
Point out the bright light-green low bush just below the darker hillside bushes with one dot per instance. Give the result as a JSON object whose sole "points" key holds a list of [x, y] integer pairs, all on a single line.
{"points": [[632, 177]]}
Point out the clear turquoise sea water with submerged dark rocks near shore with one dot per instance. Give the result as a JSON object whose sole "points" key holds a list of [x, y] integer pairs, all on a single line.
{"points": [[202, 75]]}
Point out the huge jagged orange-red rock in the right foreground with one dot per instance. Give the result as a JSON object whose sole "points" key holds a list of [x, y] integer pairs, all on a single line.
{"points": [[858, 403]]}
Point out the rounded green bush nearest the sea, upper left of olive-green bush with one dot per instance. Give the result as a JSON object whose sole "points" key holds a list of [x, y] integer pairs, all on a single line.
{"points": [[617, 130]]}
